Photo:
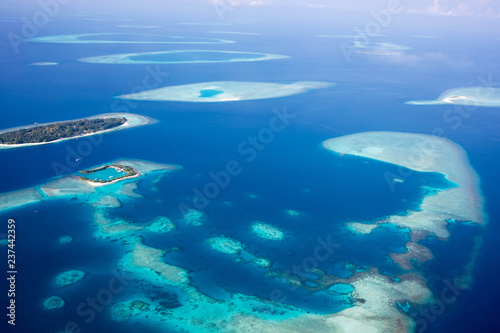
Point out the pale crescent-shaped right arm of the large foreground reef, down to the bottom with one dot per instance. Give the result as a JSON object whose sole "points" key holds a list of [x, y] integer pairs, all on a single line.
{"points": [[462, 202]]}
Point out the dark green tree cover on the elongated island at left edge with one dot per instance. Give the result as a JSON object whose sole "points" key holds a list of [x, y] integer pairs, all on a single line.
{"points": [[60, 130]]}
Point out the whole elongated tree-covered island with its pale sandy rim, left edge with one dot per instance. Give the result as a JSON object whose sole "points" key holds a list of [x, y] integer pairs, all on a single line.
{"points": [[39, 134]]}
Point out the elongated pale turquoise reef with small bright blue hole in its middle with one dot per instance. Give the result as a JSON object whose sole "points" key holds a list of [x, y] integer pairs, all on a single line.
{"points": [[226, 91]]}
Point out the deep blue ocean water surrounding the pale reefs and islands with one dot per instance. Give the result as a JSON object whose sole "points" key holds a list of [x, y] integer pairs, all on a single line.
{"points": [[292, 172]]}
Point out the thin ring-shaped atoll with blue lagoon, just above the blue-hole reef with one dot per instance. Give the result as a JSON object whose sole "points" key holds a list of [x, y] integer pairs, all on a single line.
{"points": [[181, 57]]}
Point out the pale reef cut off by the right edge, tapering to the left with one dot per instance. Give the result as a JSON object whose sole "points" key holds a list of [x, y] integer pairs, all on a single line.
{"points": [[469, 96]]}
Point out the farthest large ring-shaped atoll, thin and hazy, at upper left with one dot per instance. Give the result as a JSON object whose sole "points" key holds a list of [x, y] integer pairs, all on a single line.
{"points": [[121, 38]]}
